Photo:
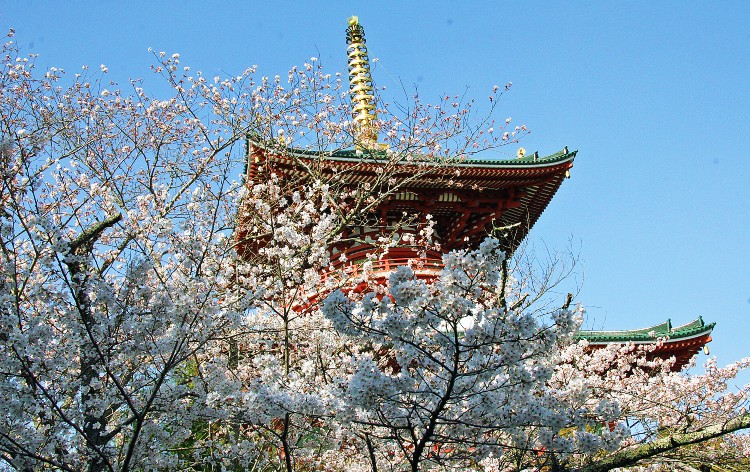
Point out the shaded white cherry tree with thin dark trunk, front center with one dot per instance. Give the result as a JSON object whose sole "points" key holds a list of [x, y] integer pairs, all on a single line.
{"points": [[454, 377]]}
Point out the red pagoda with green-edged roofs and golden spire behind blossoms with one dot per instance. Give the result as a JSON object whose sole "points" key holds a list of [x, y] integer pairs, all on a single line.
{"points": [[467, 200]]}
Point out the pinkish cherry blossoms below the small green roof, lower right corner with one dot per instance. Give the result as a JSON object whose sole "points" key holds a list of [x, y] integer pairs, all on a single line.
{"points": [[676, 420]]}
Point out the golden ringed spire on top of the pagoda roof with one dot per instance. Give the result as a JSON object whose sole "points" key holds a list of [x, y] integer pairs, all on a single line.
{"points": [[360, 86]]}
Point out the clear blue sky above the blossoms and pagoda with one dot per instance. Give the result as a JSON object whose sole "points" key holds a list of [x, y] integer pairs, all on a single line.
{"points": [[655, 96]]}
